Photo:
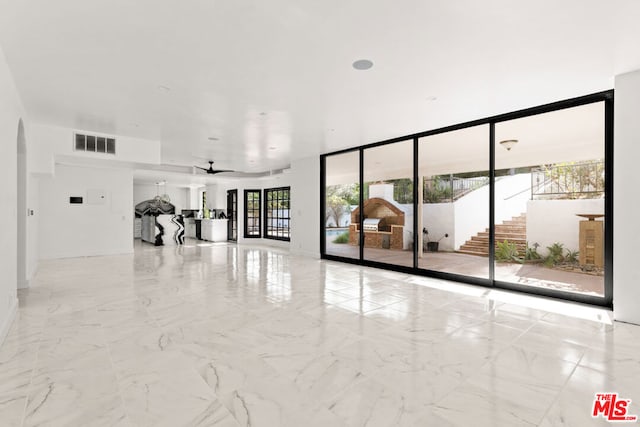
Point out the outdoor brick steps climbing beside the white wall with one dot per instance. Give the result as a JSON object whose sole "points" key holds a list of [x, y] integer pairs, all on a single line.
{"points": [[513, 231]]}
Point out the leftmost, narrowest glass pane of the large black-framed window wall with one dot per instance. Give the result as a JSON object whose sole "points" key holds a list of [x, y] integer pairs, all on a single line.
{"points": [[342, 196]]}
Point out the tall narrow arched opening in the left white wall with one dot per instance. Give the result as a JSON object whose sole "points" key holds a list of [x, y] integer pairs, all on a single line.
{"points": [[21, 241]]}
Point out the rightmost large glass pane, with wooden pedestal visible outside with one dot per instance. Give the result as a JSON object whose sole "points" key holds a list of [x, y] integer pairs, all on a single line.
{"points": [[550, 200]]}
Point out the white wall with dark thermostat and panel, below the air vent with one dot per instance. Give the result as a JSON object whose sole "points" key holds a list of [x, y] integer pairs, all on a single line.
{"points": [[68, 230]]}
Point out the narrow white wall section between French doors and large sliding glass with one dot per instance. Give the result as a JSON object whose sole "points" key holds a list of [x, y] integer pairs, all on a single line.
{"points": [[305, 206]]}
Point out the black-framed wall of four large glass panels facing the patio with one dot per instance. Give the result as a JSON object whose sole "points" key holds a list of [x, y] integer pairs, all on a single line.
{"points": [[519, 201]]}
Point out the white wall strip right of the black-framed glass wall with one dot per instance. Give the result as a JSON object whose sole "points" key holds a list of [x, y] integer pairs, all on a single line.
{"points": [[626, 232]]}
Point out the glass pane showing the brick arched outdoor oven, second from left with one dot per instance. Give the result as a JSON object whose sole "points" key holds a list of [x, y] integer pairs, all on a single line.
{"points": [[388, 206]]}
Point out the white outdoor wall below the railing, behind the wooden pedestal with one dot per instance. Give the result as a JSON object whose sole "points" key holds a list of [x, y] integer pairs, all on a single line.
{"points": [[551, 221]]}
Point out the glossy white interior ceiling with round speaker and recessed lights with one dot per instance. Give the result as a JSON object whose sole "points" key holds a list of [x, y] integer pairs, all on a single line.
{"points": [[272, 80]]}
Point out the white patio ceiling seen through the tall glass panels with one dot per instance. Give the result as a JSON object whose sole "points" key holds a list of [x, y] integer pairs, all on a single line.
{"points": [[569, 135]]}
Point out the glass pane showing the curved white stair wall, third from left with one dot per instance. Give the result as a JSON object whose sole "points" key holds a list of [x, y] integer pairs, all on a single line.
{"points": [[453, 202]]}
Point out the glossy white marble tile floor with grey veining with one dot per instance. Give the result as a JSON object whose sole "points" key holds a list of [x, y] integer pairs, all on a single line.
{"points": [[227, 335]]}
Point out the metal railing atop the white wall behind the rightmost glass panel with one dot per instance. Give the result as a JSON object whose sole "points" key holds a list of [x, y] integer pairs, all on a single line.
{"points": [[568, 181]]}
